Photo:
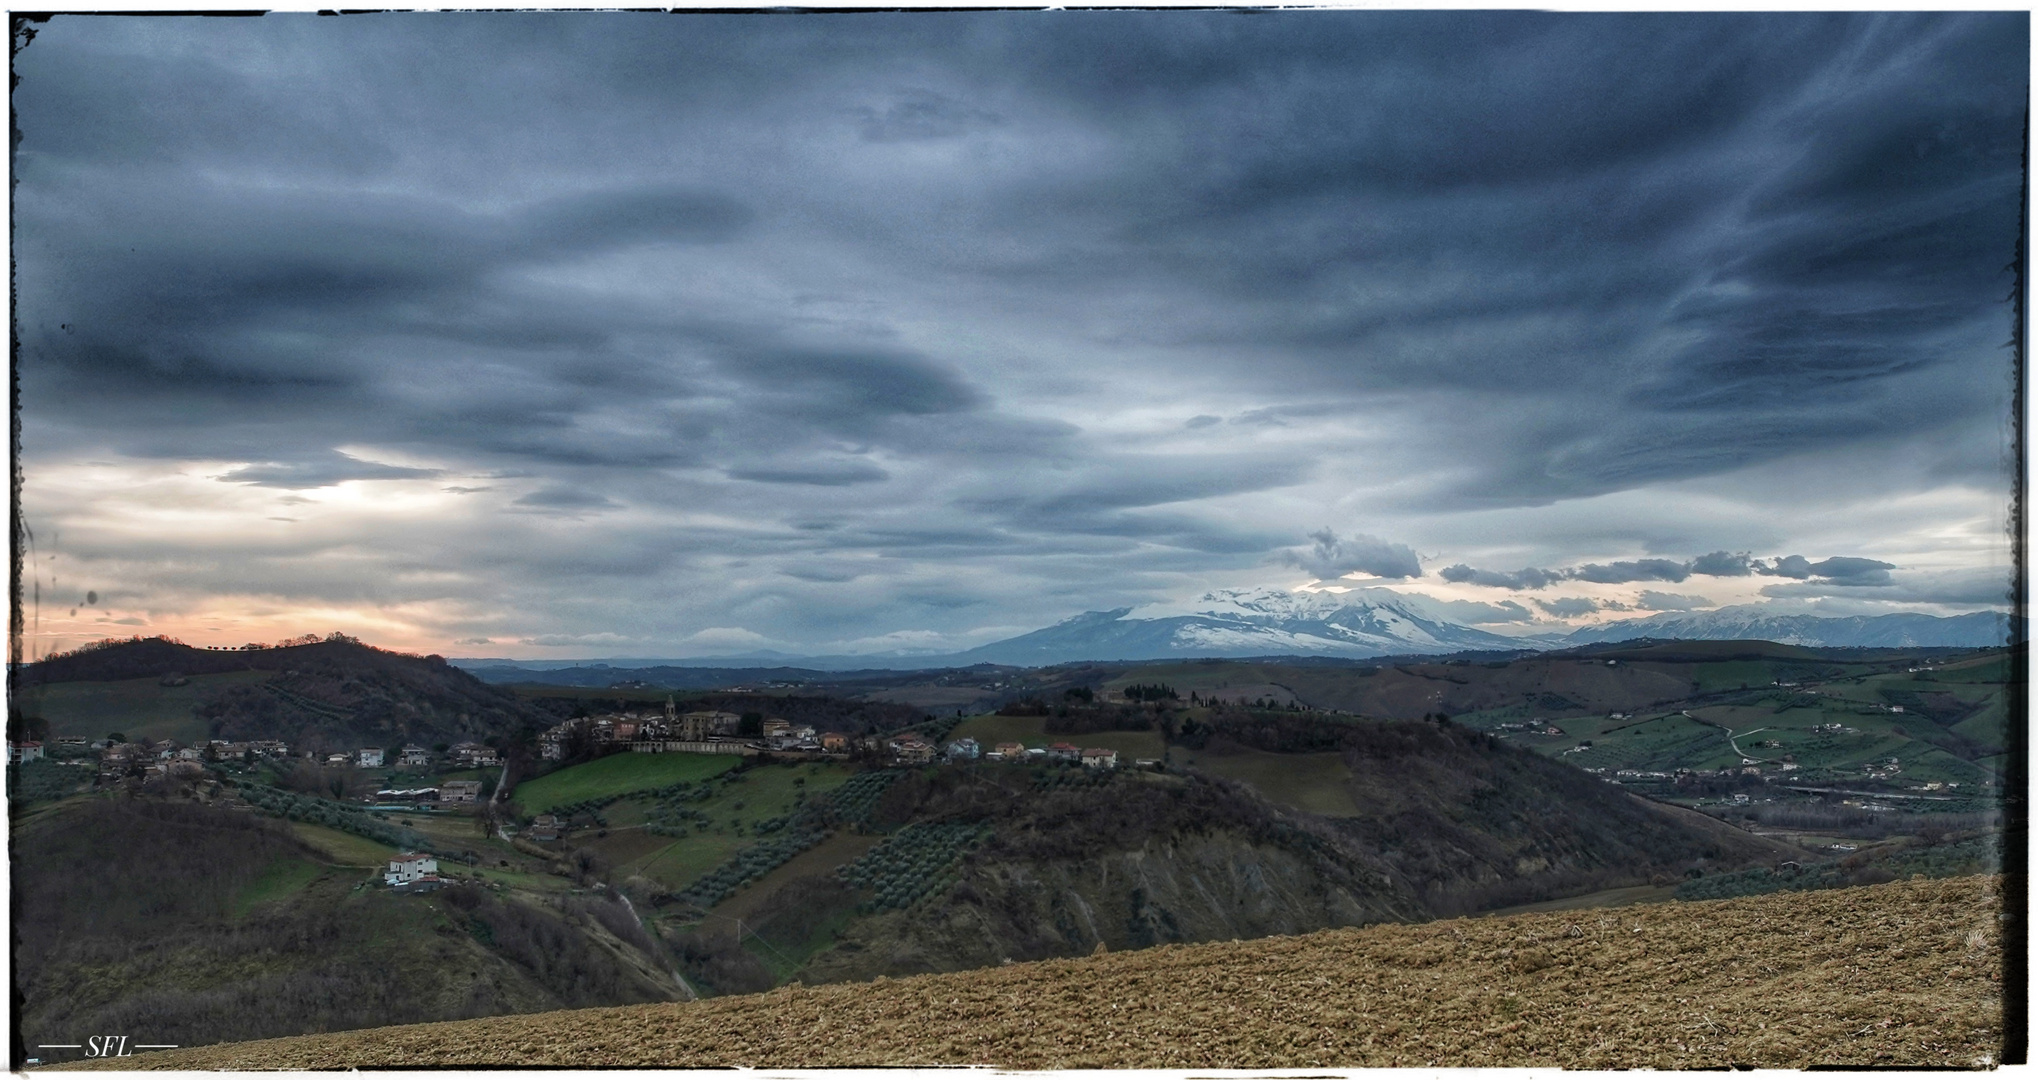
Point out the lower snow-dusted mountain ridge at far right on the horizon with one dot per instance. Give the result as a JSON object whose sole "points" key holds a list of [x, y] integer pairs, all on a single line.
{"points": [[1760, 623]]}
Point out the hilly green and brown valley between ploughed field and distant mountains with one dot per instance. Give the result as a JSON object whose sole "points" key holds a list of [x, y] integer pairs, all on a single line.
{"points": [[1228, 802]]}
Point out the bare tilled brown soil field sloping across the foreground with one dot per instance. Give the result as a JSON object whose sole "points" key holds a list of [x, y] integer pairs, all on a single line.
{"points": [[1890, 975]]}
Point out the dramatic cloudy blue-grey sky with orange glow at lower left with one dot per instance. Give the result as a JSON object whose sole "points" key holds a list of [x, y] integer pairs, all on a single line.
{"points": [[684, 335]]}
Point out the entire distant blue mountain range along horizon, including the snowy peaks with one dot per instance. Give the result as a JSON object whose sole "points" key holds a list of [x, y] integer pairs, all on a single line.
{"points": [[1360, 625]]}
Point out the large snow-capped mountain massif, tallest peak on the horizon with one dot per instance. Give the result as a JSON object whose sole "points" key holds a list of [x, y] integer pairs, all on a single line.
{"points": [[1263, 623]]}
